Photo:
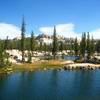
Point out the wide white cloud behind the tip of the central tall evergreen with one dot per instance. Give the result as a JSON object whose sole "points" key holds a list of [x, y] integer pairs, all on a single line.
{"points": [[67, 30]]}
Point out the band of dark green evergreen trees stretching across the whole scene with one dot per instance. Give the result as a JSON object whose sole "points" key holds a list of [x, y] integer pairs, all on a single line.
{"points": [[86, 45]]}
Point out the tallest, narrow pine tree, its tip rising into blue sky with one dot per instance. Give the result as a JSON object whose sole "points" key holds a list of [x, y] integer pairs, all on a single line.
{"points": [[23, 40]]}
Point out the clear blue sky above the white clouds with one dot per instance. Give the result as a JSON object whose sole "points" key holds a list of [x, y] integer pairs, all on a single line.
{"points": [[84, 14]]}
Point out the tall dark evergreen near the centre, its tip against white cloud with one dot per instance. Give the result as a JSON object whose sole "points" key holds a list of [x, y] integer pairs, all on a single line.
{"points": [[54, 47]]}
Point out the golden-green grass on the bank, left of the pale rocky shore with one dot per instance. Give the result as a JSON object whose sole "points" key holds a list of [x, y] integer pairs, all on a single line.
{"points": [[52, 64]]}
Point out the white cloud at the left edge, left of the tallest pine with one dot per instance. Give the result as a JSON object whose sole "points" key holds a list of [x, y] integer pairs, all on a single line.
{"points": [[9, 30]]}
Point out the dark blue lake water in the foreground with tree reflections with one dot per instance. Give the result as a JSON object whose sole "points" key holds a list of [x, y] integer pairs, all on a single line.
{"points": [[51, 85]]}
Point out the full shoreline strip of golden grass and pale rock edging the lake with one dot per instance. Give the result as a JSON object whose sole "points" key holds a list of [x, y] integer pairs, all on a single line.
{"points": [[48, 65]]}
